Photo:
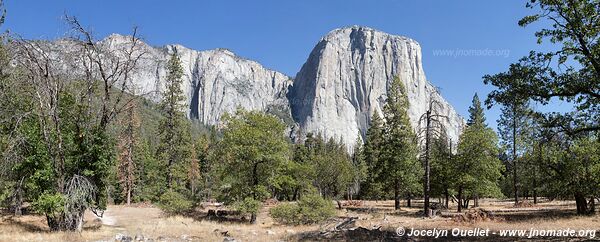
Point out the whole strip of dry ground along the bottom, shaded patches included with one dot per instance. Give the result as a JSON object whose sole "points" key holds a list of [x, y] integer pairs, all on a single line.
{"points": [[371, 221]]}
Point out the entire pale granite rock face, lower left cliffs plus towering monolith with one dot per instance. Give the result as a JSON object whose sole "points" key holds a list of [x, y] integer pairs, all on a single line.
{"points": [[344, 81]]}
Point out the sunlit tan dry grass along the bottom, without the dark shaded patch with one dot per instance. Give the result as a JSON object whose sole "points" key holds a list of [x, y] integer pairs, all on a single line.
{"points": [[151, 223]]}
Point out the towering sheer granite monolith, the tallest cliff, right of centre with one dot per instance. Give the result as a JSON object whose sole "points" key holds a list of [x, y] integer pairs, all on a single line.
{"points": [[345, 80]]}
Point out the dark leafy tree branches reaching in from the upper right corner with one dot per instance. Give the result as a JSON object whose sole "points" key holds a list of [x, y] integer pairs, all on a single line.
{"points": [[566, 74]]}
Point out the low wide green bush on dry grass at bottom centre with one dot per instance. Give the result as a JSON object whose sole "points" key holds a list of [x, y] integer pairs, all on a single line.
{"points": [[310, 209]]}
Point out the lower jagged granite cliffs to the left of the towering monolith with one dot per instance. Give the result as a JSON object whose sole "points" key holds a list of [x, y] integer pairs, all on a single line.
{"points": [[215, 82]]}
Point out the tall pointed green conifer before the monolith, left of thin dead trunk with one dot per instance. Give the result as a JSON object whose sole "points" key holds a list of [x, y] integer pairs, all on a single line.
{"points": [[390, 151]]}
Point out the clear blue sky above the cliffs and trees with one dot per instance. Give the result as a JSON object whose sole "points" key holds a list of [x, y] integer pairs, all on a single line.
{"points": [[280, 34]]}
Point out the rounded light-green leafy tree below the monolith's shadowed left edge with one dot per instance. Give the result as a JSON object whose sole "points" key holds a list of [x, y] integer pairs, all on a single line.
{"points": [[253, 144]]}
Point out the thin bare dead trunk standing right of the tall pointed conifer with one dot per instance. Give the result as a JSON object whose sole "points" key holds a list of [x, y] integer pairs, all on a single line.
{"points": [[430, 127]]}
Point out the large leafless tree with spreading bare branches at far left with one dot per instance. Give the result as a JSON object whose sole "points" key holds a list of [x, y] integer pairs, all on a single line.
{"points": [[98, 75]]}
